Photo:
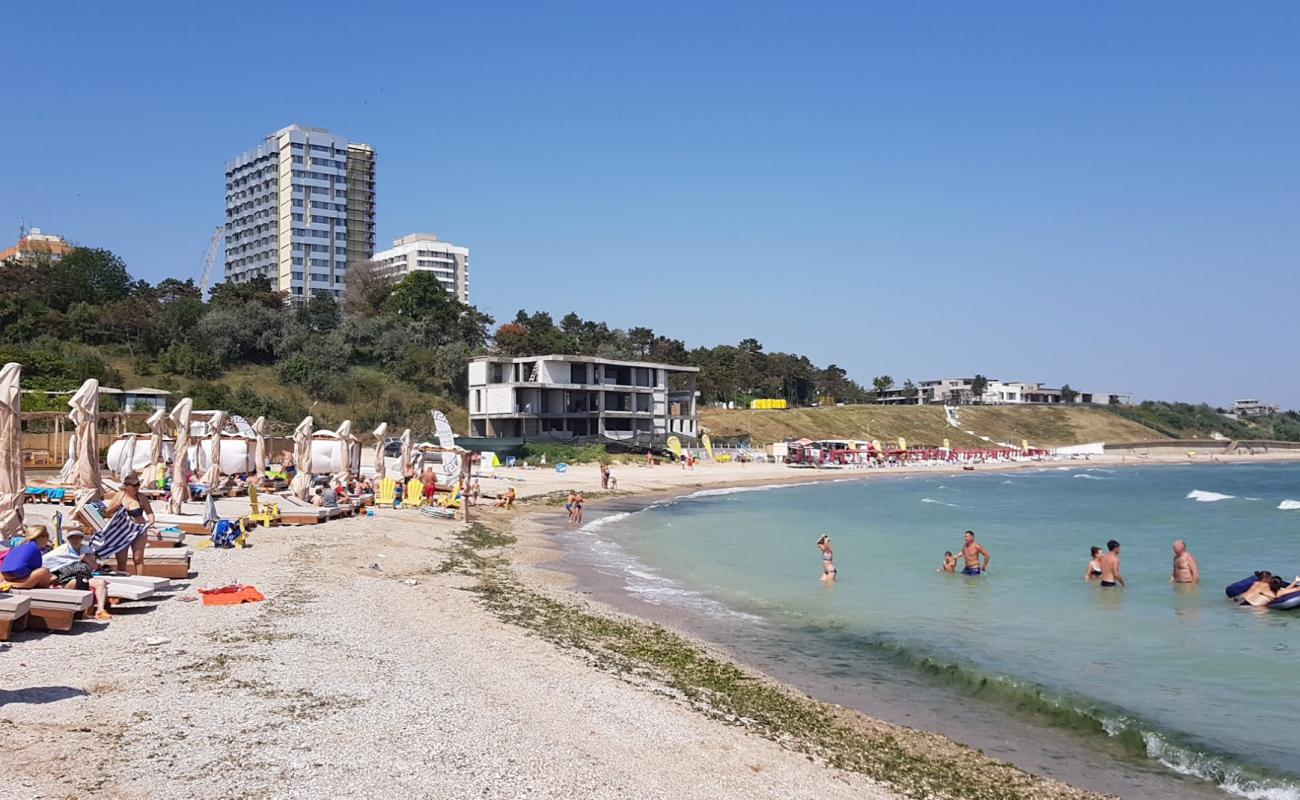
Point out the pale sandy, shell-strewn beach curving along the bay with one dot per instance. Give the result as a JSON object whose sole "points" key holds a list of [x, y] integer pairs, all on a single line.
{"points": [[405, 655]]}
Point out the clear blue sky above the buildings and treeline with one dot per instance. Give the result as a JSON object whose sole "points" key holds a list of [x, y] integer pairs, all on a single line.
{"points": [[1106, 194]]}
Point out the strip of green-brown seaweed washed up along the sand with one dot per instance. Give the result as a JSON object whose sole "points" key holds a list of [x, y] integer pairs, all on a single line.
{"points": [[911, 763]]}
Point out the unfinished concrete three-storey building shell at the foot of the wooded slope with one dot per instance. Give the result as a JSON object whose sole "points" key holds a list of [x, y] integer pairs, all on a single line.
{"points": [[578, 396]]}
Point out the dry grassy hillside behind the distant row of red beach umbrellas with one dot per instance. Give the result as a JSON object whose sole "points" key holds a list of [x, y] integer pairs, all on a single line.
{"points": [[1042, 426]]}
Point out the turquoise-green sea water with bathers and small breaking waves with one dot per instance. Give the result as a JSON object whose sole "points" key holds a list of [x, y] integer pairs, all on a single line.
{"points": [[1173, 676]]}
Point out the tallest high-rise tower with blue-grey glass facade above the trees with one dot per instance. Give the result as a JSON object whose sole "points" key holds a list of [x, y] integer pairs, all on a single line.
{"points": [[300, 210]]}
